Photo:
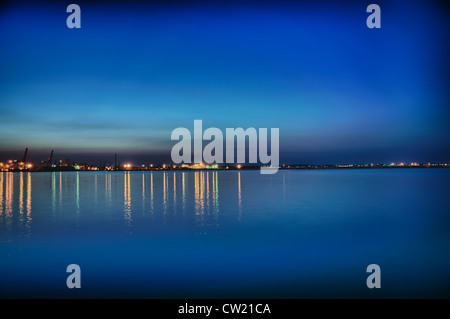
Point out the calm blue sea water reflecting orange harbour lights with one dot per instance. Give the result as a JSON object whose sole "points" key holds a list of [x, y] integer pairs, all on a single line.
{"points": [[226, 234]]}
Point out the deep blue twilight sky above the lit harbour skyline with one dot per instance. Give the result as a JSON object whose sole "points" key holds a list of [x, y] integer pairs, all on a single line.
{"points": [[338, 91]]}
